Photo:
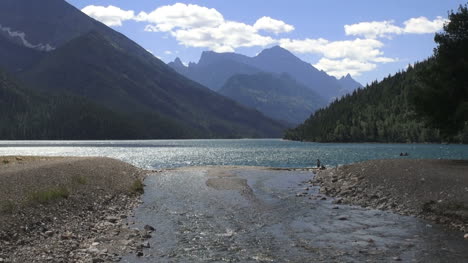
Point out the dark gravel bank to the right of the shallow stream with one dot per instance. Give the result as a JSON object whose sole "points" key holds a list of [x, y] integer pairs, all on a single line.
{"points": [[436, 190]]}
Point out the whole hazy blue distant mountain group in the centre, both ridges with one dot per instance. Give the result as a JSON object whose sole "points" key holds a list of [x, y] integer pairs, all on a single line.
{"points": [[260, 82]]}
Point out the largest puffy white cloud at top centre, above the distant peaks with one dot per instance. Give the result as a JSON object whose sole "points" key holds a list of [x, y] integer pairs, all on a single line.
{"points": [[198, 26]]}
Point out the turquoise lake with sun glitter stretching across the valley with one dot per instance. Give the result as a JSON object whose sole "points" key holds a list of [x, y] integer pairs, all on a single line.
{"points": [[158, 154]]}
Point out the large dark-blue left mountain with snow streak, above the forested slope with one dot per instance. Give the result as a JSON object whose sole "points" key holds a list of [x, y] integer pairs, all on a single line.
{"points": [[55, 50]]}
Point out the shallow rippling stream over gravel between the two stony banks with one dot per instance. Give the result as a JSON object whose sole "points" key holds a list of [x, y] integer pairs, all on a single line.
{"points": [[261, 215]]}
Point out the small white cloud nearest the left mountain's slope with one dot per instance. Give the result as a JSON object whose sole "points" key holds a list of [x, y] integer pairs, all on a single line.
{"points": [[110, 15]]}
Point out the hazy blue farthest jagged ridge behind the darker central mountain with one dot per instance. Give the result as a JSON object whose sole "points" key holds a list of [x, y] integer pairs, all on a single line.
{"points": [[214, 69]]}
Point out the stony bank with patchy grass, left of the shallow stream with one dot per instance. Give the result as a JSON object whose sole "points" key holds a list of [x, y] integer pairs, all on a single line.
{"points": [[68, 209]]}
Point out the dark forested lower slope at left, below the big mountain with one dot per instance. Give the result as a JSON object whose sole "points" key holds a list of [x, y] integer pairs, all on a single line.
{"points": [[30, 115]]}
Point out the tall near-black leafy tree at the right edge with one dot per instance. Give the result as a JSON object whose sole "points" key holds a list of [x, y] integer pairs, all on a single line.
{"points": [[442, 97]]}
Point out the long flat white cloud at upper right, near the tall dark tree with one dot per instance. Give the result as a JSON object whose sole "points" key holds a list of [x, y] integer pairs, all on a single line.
{"points": [[376, 29]]}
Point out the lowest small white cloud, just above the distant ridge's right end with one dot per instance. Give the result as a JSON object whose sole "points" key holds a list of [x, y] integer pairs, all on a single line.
{"points": [[341, 67]]}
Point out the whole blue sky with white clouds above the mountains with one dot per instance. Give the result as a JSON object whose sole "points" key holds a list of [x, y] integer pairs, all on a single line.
{"points": [[369, 39]]}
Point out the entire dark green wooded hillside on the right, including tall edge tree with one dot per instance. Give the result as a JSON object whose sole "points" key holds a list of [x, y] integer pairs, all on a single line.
{"points": [[426, 103]]}
